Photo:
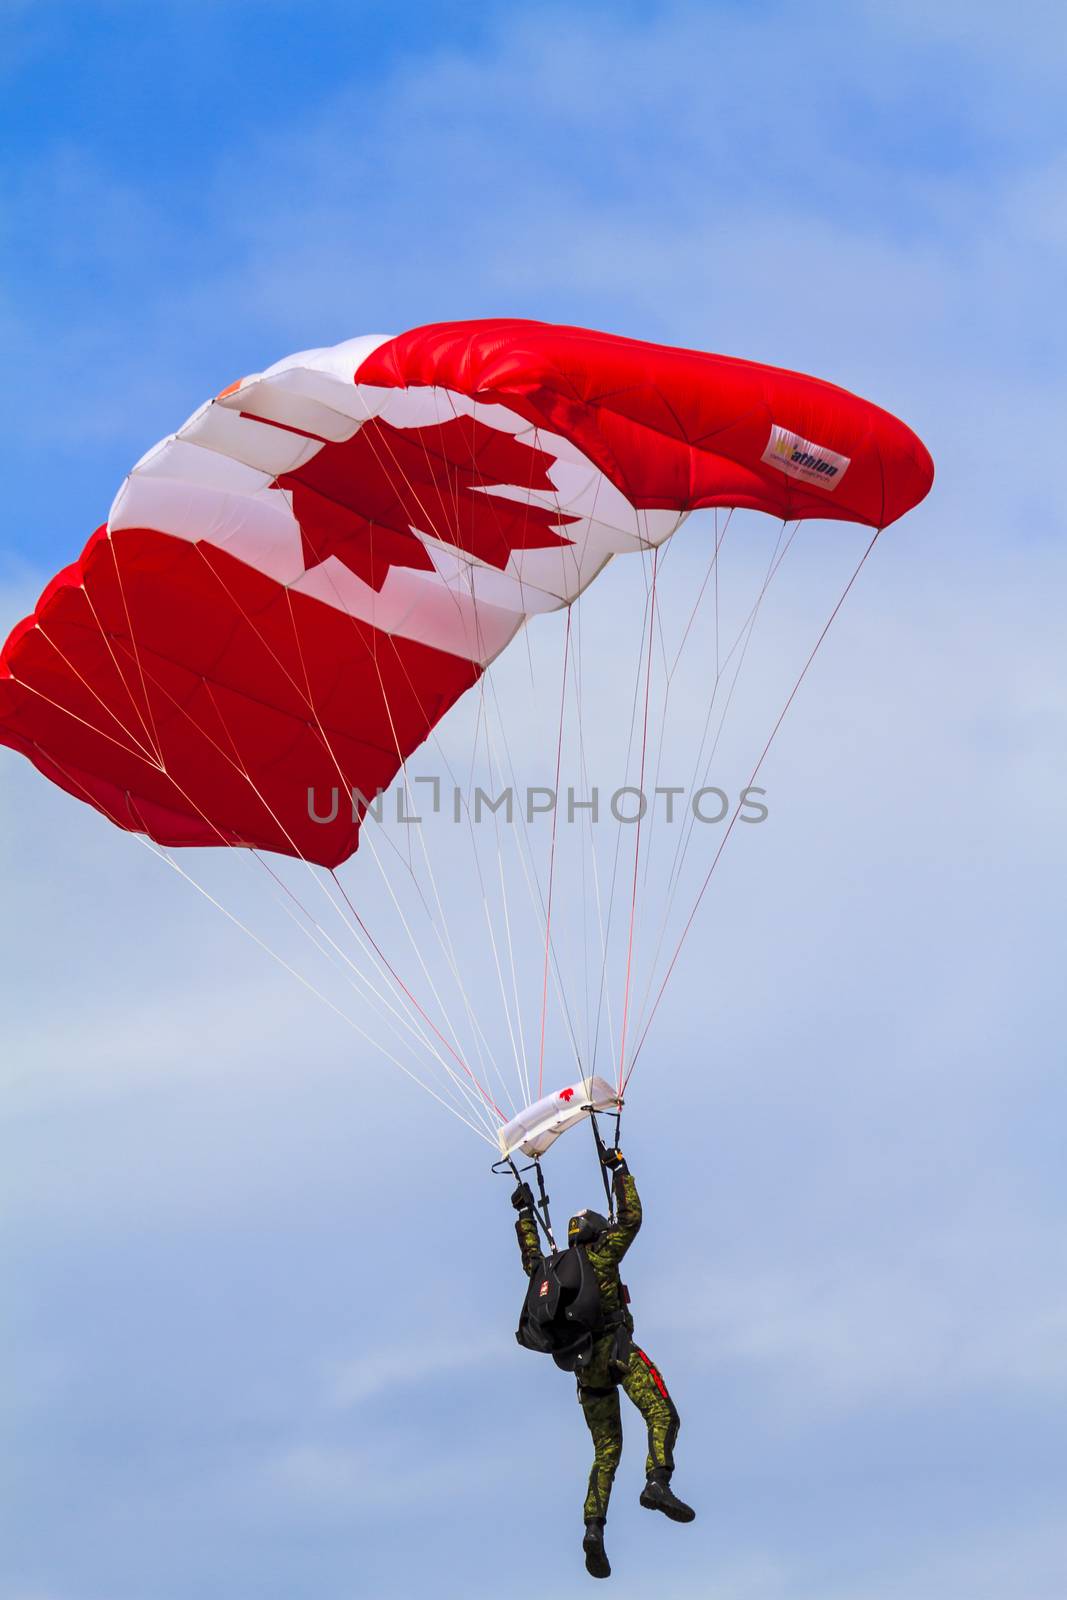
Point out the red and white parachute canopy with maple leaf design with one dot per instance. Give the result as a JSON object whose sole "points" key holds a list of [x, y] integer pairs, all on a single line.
{"points": [[295, 588]]}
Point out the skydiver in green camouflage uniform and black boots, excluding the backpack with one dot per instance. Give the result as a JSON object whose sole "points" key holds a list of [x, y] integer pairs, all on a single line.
{"points": [[615, 1361]]}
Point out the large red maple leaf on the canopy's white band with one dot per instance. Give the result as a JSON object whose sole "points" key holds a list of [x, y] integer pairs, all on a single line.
{"points": [[359, 500]]}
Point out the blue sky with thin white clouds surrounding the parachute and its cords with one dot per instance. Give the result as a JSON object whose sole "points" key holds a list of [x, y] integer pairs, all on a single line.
{"points": [[260, 1298]]}
